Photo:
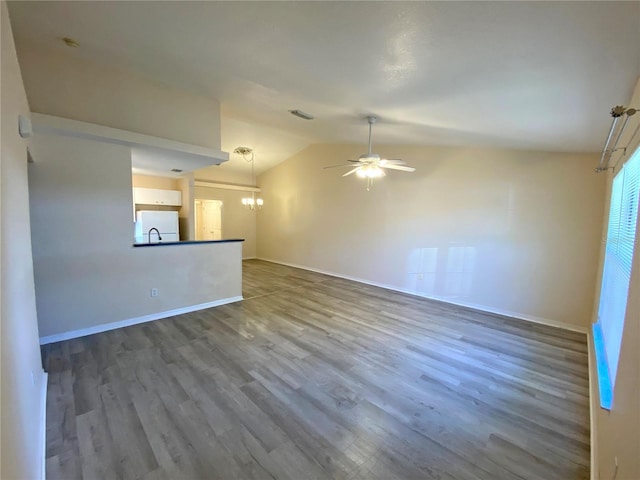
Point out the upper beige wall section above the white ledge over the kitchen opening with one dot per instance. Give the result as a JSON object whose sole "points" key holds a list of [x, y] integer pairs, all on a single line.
{"points": [[65, 86]]}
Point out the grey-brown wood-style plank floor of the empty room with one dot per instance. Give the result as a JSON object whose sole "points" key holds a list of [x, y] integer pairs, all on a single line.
{"points": [[314, 377]]}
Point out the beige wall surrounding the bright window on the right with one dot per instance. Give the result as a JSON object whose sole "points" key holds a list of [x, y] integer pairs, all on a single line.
{"points": [[618, 430]]}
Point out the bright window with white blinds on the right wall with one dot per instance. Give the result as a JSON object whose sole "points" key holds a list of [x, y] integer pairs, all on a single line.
{"points": [[616, 275]]}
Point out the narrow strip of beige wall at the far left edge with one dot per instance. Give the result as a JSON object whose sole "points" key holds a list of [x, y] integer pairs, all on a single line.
{"points": [[21, 442]]}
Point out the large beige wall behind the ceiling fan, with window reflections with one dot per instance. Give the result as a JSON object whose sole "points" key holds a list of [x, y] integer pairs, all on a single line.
{"points": [[509, 231]]}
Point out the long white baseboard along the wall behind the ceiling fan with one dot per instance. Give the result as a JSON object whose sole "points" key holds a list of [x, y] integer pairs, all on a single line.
{"points": [[482, 308]]}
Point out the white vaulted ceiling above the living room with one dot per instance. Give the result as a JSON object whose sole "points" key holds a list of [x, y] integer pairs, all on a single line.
{"points": [[531, 75]]}
